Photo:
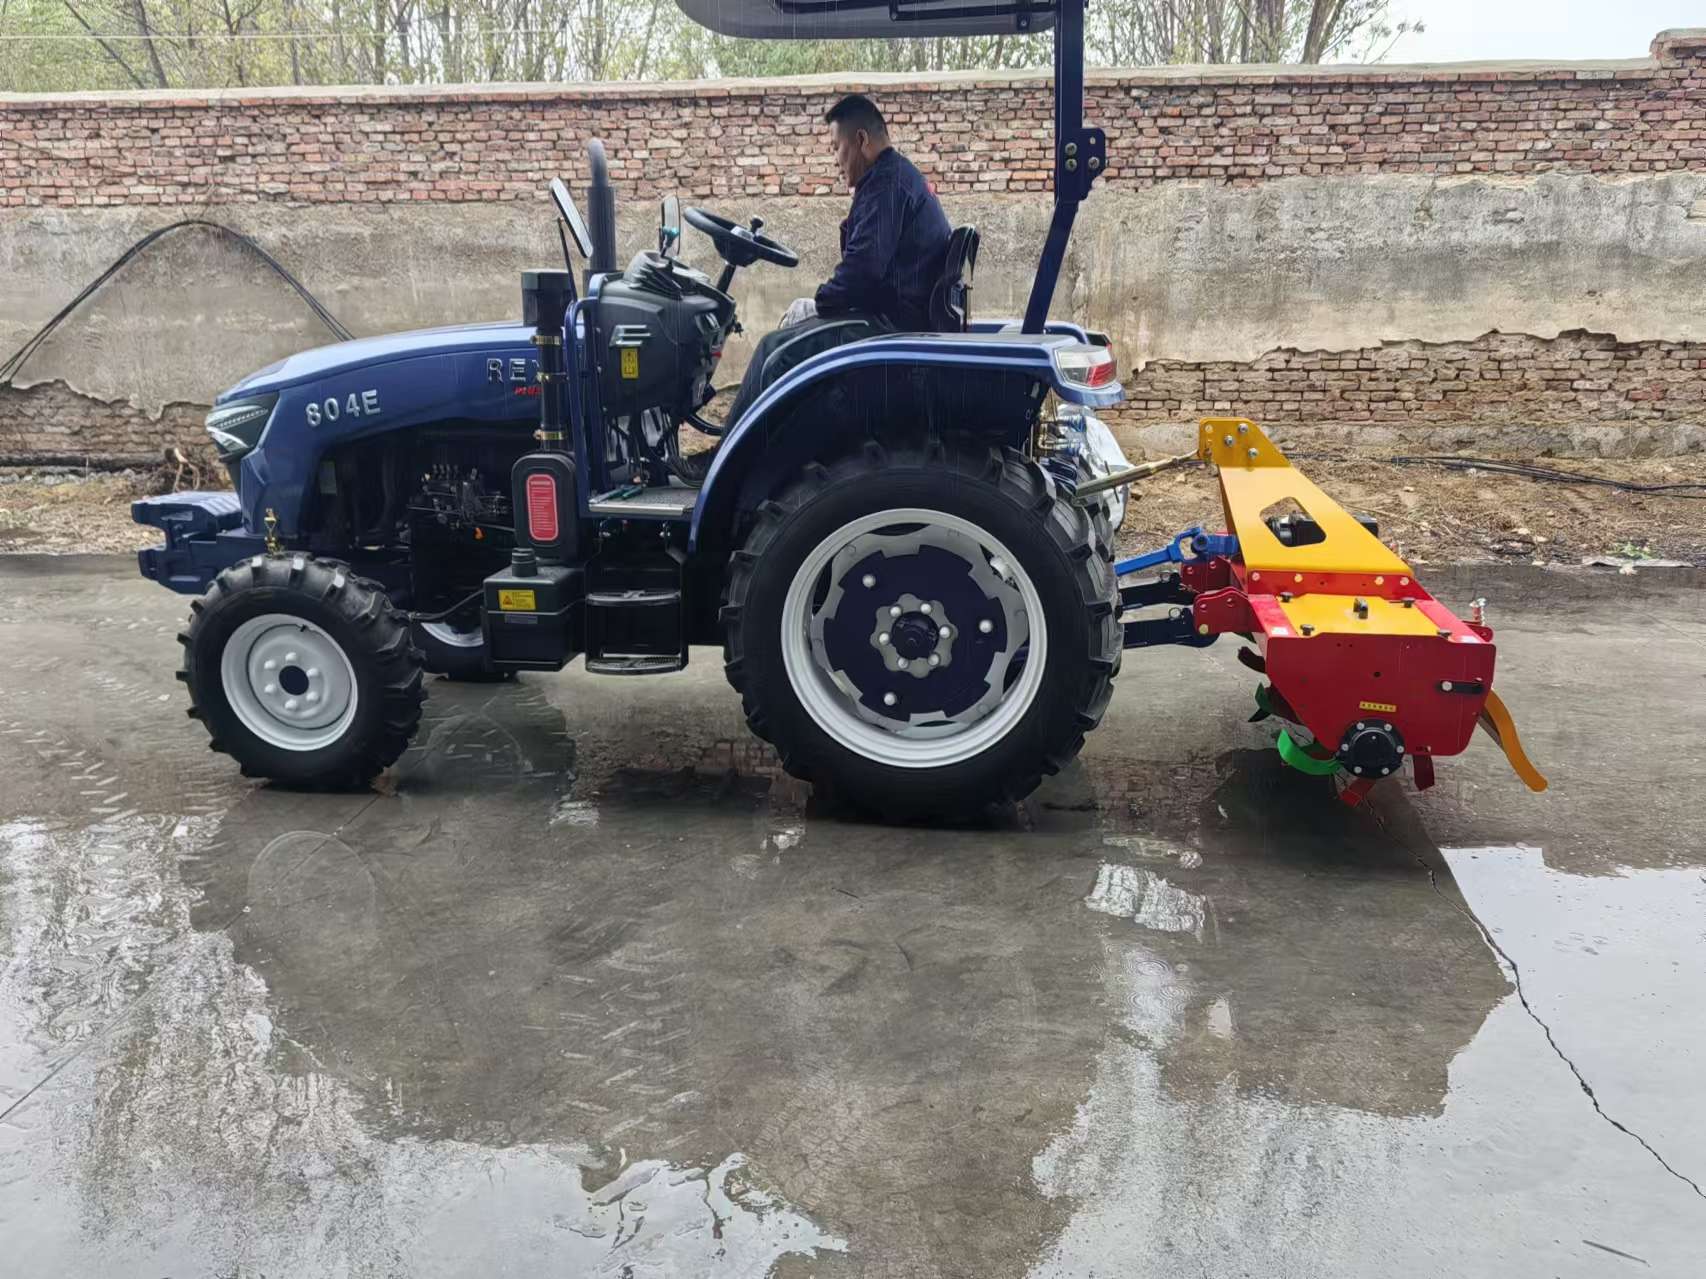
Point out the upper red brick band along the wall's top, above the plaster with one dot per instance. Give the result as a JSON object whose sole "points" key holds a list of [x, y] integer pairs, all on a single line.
{"points": [[970, 132]]}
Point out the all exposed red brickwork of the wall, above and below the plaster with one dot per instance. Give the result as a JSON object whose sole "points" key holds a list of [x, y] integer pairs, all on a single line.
{"points": [[1236, 127]]}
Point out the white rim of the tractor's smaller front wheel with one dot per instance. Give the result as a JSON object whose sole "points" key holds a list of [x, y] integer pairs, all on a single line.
{"points": [[289, 683]]}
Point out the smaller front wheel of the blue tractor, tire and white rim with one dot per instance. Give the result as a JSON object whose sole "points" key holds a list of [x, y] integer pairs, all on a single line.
{"points": [[303, 673]]}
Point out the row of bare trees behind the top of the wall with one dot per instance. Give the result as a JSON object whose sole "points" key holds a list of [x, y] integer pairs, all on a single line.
{"points": [[204, 43]]}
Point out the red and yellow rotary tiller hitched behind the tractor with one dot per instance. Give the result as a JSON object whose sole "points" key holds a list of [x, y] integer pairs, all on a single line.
{"points": [[1364, 666]]}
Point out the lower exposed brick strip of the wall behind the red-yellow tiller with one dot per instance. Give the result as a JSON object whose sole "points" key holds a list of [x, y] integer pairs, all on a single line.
{"points": [[1499, 378]]}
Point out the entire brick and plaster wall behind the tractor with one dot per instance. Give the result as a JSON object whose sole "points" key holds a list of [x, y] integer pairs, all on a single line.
{"points": [[1485, 246]]}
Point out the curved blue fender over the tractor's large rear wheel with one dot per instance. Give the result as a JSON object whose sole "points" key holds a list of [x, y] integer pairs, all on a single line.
{"points": [[775, 439]]}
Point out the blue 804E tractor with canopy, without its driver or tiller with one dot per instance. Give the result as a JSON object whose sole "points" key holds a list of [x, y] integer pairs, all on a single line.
{"points": [[915, 605]]}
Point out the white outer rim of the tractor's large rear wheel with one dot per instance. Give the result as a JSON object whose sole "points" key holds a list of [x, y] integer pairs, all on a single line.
{"points": [[926, 738]]}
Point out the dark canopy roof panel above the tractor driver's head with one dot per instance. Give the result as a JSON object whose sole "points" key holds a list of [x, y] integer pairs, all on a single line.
{"points": [[856, 20]]}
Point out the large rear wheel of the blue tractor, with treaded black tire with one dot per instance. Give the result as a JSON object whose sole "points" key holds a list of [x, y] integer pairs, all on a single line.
{"points": [[922, 635]]}
